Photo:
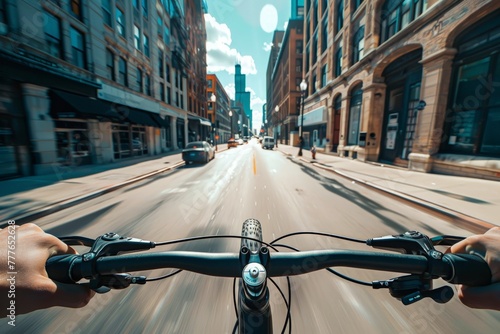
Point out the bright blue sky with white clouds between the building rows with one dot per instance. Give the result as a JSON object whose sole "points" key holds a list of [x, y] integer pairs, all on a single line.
{"points": [[241, 31]]}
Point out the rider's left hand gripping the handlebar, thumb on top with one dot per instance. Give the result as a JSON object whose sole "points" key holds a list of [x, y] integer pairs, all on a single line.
{"points": [[33, 289]]}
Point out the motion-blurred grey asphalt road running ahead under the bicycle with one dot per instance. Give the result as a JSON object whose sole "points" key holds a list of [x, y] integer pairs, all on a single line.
{"points": [[285, 195]]}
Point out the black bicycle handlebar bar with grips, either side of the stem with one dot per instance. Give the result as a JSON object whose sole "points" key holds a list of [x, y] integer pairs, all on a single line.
{"points": [[454, 268]]}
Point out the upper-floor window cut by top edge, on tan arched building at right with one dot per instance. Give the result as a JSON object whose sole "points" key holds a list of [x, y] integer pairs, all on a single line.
{"points": [[397, 14]]}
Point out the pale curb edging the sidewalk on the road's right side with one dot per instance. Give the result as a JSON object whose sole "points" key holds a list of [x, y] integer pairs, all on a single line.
{"points": [[462, 220]]}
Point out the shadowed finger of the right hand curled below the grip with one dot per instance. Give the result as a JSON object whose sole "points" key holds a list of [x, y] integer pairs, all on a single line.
{"points": [[482, 297]]}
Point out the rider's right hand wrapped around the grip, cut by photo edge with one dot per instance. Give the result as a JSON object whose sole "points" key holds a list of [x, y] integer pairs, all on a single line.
{"points": [[488, 246]]}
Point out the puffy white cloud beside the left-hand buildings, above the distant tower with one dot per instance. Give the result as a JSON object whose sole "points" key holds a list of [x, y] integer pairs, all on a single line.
{"points": [[220, 55]]}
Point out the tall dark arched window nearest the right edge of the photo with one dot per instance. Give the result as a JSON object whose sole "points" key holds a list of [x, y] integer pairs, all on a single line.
{"points": [[474, 120]]}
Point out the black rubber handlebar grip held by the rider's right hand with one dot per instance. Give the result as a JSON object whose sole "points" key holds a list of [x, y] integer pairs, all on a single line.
{"points": [[468, 269]]}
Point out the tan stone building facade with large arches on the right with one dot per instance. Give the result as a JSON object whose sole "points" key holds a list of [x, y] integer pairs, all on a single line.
{"points": [[409, 83]]}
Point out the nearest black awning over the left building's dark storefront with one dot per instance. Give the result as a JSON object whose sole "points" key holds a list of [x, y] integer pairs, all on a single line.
{"points": [[68, 105]]}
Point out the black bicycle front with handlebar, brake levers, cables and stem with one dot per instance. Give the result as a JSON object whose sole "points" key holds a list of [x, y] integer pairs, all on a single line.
{"points": [[105, 266]]}
